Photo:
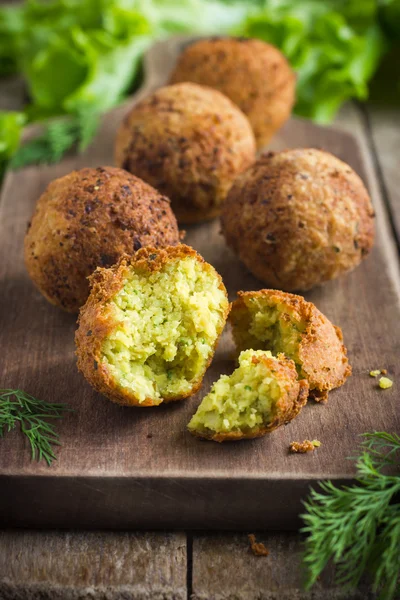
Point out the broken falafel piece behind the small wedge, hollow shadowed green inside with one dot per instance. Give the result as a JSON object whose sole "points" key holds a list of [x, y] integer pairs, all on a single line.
{"points": [[282, 322]]}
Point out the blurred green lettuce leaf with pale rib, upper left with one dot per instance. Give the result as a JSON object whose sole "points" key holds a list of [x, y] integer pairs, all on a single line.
{"points": [[90, 60]]}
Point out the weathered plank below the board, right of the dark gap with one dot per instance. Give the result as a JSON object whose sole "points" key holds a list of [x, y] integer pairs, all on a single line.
{"points": [[224, 568]]}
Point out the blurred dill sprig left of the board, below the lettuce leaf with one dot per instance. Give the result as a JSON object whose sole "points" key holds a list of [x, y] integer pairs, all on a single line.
{"points": [[58, 137]]}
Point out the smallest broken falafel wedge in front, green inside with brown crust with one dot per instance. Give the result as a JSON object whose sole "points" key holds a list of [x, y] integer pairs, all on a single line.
{"points": [[260, 395]]}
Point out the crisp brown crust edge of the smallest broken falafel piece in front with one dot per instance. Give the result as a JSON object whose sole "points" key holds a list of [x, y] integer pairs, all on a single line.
{"points": [[287, 407]]}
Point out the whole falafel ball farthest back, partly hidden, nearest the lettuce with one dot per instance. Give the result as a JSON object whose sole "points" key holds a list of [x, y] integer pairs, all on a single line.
{"points": [[254, 75]]}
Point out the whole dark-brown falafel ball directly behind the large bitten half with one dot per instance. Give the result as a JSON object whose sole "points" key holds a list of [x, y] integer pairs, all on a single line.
{"points": [[87, 219]]}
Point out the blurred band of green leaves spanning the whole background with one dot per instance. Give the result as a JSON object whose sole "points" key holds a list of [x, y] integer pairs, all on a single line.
{"points": [[81, 57]]}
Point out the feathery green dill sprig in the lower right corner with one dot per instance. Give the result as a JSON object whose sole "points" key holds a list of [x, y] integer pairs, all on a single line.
{"points": [[358, 526]]}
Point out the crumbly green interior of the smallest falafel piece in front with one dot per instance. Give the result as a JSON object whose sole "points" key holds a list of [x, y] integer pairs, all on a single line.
{"points": [[243, 402]]}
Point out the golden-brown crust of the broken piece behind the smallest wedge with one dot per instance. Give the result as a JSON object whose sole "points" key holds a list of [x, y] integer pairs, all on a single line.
{"points": [[322, 353]]}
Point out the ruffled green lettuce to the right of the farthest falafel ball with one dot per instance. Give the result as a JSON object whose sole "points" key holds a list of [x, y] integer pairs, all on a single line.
{"points": [[333, 60]]}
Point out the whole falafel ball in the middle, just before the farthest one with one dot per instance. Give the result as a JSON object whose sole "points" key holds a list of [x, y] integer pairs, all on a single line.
{"points": [[190, 142]]}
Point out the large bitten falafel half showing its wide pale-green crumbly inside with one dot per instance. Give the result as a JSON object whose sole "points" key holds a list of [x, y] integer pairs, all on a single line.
{"points": [[150, 326]]}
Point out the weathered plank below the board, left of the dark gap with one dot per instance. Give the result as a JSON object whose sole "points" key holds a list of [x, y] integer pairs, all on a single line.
{"points": [[79, 566]]}
